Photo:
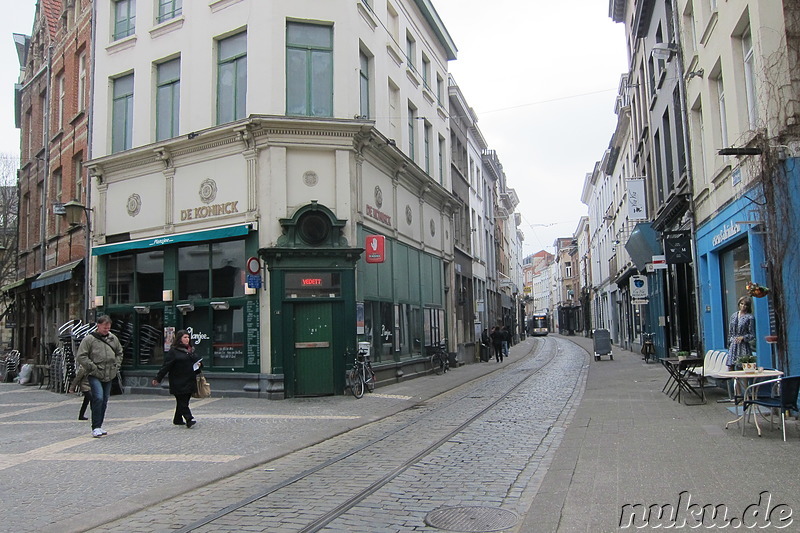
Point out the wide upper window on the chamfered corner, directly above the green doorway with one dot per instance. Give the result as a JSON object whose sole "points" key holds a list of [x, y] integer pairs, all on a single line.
{"points": [[309, 70]]}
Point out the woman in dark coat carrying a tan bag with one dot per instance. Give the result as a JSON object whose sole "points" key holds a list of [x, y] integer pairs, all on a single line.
{"points": [[182, 366]]}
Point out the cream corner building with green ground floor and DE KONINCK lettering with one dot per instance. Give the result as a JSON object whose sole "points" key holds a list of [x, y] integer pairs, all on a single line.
{"points": [[286, 131]]}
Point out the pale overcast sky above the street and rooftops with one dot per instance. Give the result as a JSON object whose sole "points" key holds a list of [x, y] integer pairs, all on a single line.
{"points": [[541, 75]]}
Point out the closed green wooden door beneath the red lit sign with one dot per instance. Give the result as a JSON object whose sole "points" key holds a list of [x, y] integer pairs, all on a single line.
{"points": [[313, 349]]}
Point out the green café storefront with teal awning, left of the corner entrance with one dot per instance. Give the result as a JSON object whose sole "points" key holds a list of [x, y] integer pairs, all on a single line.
{"points": [[195, 281]]}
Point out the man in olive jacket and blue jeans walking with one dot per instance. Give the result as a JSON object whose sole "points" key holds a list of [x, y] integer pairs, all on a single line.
{"points": [[100, 355]]}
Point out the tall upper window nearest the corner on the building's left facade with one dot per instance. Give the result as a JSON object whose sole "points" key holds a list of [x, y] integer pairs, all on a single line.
{"points": [[231, 78]]}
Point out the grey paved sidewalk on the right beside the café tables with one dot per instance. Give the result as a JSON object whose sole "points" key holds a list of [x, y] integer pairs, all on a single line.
{"points": [[629, 443]]}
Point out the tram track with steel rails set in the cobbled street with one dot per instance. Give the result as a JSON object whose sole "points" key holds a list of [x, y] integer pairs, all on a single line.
{"points": [[431, 425]]}
